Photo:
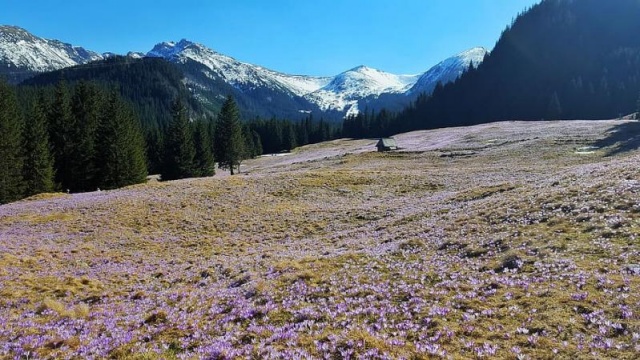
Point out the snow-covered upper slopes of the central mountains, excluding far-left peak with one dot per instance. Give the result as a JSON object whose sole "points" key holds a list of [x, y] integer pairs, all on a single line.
{"points": [[339, 93]]}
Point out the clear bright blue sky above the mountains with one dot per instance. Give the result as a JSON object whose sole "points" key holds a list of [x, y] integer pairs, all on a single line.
{"points": [[311, 37]]}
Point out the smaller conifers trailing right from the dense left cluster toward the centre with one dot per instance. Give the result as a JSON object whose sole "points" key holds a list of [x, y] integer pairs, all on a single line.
{"points": [[190, 147]]}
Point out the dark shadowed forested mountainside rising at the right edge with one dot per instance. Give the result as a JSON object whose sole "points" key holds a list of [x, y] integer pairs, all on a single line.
{"points": [[561, 59]]}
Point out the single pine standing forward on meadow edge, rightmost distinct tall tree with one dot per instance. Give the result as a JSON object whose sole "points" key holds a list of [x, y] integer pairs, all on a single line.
{"points": [[229, 141]]}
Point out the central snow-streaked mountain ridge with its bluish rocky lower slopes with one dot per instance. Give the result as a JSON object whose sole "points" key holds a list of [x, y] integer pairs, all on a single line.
{"points": [[340, 95]]}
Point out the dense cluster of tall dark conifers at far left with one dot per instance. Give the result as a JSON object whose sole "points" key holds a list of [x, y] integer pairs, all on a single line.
{"points": [[66, 139]]}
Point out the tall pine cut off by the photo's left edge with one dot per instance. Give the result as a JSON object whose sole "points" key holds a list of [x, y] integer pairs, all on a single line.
{"points": [[11, 160]]}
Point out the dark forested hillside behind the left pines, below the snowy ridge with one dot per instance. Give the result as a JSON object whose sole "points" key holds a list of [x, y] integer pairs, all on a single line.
{"points": [[152, 84]]}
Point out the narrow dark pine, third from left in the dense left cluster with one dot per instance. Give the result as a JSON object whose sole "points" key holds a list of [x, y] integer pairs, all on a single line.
{"points": [[61, 130]]}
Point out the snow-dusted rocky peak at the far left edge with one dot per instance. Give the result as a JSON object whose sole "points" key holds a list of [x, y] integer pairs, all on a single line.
{"points": [[24, 54]]}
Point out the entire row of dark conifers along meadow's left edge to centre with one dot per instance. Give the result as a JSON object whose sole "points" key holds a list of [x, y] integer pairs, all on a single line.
{"points": [[85, 136]]}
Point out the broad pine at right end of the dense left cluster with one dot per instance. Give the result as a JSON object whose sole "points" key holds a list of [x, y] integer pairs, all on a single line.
{"points": [[120, 146]]}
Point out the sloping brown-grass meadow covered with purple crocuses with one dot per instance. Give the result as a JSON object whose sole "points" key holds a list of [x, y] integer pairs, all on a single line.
{"points": [[510, 240]]}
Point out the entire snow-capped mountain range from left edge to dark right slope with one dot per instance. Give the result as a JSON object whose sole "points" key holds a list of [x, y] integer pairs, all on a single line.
{"points": [[210, 76]]}
